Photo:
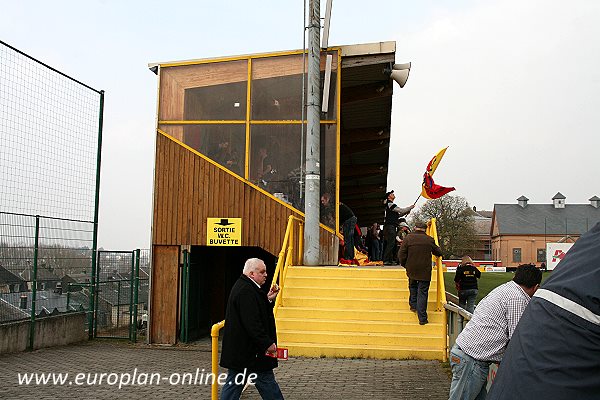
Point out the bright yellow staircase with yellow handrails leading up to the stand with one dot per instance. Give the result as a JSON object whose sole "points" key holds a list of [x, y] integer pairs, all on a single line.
{"points": [[355, 312]]}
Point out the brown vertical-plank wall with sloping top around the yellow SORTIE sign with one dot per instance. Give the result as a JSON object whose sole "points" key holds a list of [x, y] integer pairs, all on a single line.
{"points": [[191, 189]]}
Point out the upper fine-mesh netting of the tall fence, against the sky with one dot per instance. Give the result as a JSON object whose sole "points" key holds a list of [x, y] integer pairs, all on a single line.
{"points": [[49, 126]]}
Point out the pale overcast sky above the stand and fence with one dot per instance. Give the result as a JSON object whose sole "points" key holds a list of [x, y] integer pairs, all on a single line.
{"points": [[512, 87]]}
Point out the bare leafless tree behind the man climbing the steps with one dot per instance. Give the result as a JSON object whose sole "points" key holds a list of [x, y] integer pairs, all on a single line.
{"points": [[455, 224]]}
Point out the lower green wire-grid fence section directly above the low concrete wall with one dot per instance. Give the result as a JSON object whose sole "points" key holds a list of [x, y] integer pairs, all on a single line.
{"points": [[45, 265]]}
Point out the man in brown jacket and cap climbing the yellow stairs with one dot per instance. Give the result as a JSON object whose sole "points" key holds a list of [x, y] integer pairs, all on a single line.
{"points": [[415, 256]]}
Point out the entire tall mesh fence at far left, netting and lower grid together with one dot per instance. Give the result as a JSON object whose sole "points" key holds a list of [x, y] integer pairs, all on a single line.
{"points": [[50, 130]]}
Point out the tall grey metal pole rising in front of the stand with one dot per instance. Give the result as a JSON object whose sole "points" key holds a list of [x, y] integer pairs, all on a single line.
{"points": [[313, 138]]}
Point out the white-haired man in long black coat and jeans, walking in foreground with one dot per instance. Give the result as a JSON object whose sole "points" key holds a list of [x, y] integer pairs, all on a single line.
{"points": [[249, 334]]}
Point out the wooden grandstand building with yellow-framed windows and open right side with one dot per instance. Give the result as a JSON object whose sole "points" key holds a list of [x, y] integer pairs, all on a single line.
{"points": [[230, 148]]}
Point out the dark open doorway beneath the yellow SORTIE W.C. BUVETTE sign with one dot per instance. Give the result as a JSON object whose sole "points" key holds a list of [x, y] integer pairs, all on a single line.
{"points": [[213, 271]]}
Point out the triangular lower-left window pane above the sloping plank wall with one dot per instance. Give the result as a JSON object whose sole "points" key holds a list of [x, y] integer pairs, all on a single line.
{"points": [[225, 144]]}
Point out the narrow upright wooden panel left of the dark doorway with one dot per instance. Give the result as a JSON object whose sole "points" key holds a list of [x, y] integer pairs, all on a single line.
{"points": [[163, 307]]}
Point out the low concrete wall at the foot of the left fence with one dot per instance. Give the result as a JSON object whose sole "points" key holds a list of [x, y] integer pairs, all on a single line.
{"points": [[49, 331]]}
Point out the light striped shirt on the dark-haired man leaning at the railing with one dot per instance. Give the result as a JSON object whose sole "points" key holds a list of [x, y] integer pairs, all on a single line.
{"points": [[487, 334]]}
